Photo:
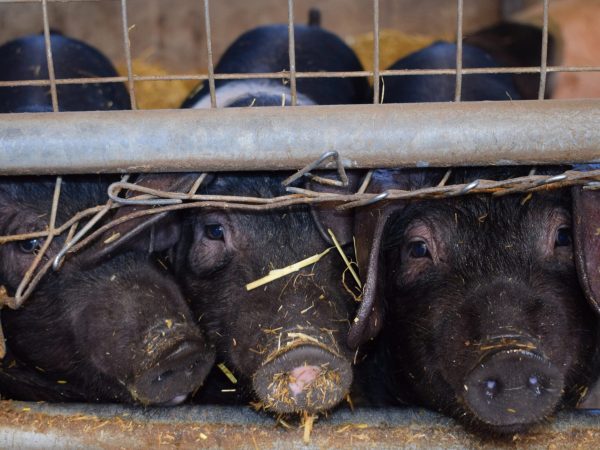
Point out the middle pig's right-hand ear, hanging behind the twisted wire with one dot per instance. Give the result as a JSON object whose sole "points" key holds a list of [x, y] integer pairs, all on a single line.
{"points": [[341, 223]]}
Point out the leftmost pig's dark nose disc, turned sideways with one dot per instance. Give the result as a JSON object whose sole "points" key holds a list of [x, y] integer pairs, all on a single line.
{"points": [[176, 373]]}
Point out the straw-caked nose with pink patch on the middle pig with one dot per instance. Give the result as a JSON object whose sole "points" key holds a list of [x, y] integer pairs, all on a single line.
{"points": [[305, 378]]}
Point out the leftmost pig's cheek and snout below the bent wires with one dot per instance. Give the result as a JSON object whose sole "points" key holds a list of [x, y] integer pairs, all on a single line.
{"points": [[120, 332]]}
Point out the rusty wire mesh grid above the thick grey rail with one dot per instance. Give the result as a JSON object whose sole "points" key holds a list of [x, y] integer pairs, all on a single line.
{"points": [[292, 74]]}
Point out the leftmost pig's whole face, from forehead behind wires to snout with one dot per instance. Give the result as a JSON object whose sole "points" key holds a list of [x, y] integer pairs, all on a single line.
{"points": [[120, 331]]}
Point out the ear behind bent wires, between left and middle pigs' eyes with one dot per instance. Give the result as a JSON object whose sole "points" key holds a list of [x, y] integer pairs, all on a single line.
{"points": [[152, 233]]}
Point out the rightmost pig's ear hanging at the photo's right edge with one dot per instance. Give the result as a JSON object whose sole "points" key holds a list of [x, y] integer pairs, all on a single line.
{"points": [[586, 226]]}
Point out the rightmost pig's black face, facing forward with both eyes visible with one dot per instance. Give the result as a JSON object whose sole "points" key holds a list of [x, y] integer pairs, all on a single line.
{"points": [[485, 319]]}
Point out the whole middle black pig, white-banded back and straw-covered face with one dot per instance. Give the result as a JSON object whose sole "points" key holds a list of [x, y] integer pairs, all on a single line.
{"points": [[285, 340]]}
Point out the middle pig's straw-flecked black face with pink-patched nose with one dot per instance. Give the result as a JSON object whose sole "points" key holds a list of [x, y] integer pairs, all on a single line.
{"points": [[284, 338]]}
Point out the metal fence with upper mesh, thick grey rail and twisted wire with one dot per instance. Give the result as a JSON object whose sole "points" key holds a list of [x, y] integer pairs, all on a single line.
{"points": [[362, 136]]}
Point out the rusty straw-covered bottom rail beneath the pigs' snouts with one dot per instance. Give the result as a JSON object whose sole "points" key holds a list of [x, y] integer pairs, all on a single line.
{"points": [[27, 425]]}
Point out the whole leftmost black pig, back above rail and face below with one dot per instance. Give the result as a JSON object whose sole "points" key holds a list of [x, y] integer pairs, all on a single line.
{"points": [[116, 331]]}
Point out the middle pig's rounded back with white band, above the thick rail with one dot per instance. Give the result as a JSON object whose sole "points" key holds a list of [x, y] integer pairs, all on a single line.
{"points": [[265, 50]]}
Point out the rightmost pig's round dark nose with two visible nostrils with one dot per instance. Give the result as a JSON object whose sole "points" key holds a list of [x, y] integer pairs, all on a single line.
{"points": [[512, 387]]}
